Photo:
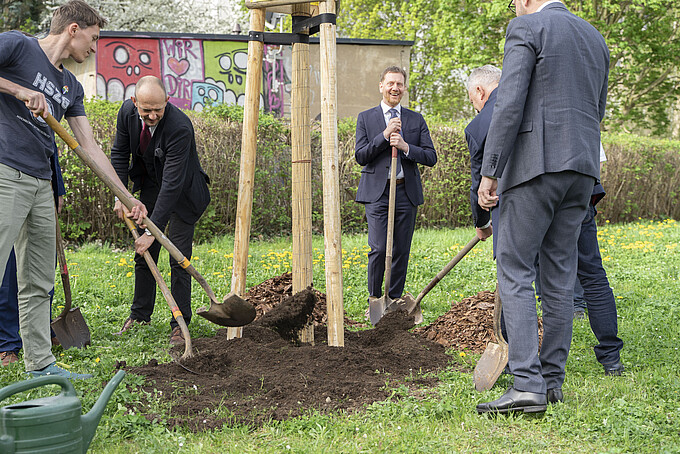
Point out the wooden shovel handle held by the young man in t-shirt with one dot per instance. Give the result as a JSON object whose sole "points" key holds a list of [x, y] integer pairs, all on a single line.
{"points": [[118, 192]]}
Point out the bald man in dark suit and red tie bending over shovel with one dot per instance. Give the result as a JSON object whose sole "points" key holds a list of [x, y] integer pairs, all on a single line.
{"points": [[155, 148]]}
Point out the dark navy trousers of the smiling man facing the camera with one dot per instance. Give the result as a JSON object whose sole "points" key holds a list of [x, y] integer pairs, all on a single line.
{"points": [[404, 224]]}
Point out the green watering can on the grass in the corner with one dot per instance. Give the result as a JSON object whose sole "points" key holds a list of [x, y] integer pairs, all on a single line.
{"points": [[50, 424]]}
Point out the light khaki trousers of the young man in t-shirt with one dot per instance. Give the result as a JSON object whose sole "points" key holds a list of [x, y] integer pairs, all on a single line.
{"points": [[27, 223]]}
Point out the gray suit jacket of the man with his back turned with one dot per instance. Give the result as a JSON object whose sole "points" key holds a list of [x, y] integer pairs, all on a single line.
{"points": [[551, 99]]}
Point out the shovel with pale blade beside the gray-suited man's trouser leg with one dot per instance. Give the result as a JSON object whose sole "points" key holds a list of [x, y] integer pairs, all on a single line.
{"points": [[490, 366]]}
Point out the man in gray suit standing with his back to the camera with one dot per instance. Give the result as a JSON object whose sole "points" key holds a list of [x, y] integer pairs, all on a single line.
{"points": [[542, 153]]}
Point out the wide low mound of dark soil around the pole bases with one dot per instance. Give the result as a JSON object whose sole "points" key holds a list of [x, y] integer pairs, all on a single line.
{"points": [[264, 376]]}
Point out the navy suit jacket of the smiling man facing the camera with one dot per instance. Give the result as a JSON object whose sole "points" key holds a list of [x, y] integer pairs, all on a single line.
{"points": [[374, 153]]}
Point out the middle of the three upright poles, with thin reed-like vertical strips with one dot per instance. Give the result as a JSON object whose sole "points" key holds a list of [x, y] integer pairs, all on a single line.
{"points": [[302, 170]]}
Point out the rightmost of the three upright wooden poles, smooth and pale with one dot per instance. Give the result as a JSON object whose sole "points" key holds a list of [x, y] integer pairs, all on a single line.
{"points": [[331, 180]]}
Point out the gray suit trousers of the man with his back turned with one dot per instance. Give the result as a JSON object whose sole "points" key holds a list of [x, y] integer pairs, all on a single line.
{"points": [[540, 217]]}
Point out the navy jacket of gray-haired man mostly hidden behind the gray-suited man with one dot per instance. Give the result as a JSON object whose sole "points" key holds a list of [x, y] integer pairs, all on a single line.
{"points": [[475, 134]]}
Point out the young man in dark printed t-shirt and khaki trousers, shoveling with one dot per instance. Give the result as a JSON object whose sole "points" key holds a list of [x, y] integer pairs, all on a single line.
{"points": [[33, 82]]}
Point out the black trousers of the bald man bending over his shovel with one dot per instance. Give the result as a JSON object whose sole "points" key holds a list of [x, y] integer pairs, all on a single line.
{"points": [[181, 234]]}
